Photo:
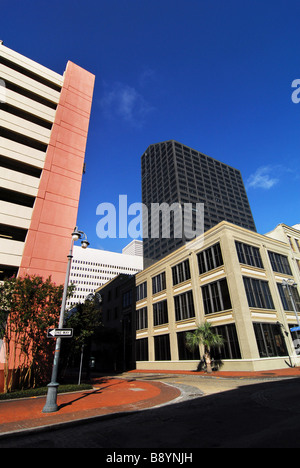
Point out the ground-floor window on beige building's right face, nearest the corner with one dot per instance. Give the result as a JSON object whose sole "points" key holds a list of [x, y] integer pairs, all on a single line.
{"points": [[269, 339]]}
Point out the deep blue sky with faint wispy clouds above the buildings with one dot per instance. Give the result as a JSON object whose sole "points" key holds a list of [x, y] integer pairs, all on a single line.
{"points": [[214, 75]]}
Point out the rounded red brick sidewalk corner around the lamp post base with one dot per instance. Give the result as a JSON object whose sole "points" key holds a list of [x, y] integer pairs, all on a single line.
{"points": [[109, 396]]}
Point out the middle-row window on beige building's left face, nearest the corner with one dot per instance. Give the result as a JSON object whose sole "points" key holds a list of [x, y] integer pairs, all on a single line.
{"points": [[216, 297]]}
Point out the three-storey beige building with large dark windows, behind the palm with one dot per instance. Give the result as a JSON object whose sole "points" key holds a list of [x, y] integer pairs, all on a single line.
{"points": [[234, 281]]}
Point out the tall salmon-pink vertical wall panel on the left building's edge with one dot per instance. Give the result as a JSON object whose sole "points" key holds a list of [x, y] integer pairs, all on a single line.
{"points": [[55, 211]]}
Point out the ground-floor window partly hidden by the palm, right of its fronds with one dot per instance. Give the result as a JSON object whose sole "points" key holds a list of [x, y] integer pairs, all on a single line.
{"points": [[231, 347]]}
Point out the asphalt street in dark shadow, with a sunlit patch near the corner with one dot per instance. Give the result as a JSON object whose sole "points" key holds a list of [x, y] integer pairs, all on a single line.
{"points": [[228, 414]]}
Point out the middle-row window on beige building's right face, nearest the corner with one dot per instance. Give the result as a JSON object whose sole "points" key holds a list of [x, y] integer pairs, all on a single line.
{"points": [[258, 293]]}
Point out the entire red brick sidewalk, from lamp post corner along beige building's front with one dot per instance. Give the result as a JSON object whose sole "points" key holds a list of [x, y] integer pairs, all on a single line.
{"points": [[110, 396]]}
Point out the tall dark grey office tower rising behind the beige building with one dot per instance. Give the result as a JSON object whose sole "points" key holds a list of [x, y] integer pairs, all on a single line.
{"points": [[174, 173]]}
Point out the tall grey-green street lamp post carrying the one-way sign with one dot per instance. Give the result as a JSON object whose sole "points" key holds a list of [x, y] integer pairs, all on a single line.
{"points": [[51, 402]]}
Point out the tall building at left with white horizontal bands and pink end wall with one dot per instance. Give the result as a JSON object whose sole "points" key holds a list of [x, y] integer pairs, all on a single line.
{"points": [[44, 126]]}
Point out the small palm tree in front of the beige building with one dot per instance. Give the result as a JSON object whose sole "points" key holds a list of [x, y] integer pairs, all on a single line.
{"points": [[204, 336]]}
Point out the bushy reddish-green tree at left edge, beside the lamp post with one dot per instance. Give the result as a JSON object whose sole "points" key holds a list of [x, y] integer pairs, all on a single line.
{"points": [[28, 306]]}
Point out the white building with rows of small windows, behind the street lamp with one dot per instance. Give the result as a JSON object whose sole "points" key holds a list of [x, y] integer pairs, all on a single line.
{"points": [[92, 268]]}
